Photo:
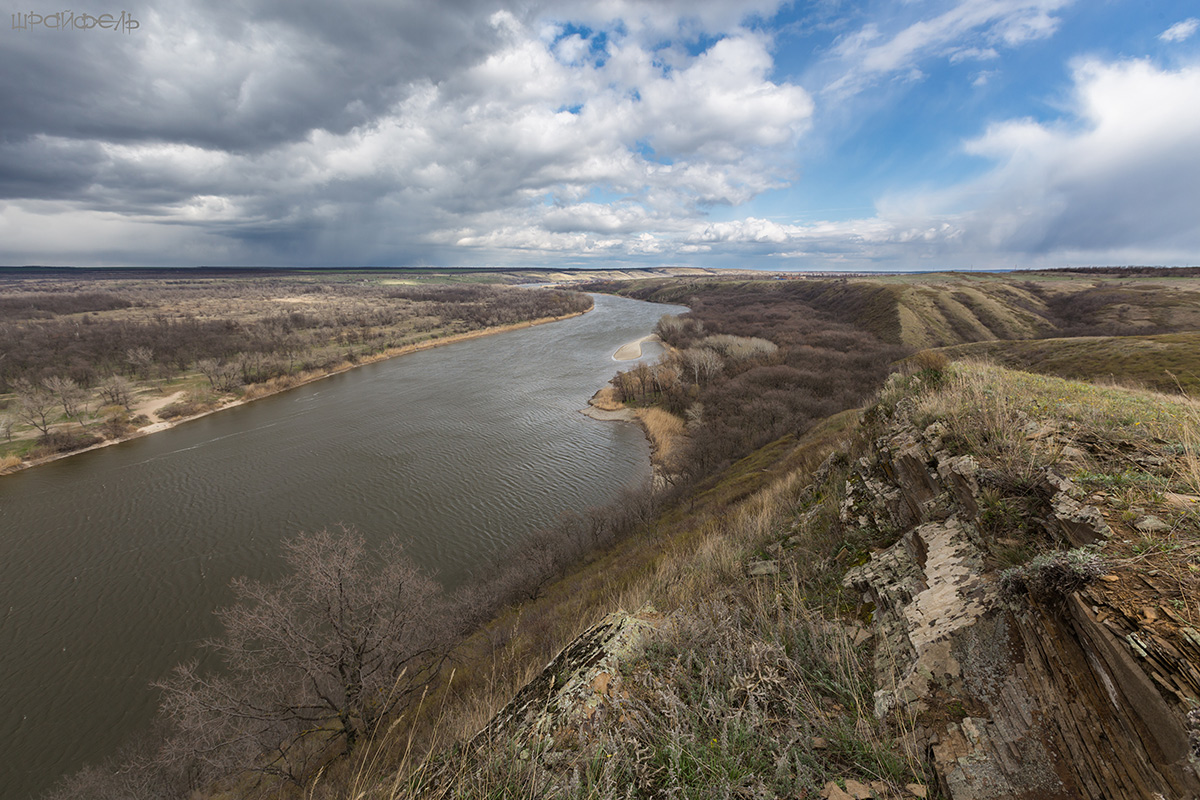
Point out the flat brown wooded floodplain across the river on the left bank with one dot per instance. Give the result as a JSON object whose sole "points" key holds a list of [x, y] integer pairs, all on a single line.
{"points": [[74, 347]]}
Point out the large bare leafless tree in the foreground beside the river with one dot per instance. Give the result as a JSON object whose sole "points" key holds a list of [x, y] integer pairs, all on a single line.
{"points": [[313, 663]]}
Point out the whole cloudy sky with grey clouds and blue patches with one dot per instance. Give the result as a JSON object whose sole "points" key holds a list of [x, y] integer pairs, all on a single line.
{"points": [[819, 135]]}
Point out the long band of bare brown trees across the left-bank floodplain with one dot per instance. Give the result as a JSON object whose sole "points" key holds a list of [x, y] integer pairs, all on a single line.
{"points": [[51, 335]]}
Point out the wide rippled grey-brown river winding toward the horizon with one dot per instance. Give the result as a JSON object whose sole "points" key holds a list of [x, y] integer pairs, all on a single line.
{"points": [[112, 562]]}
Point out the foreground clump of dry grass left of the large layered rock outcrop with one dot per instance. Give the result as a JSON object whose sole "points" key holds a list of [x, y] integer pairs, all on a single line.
{"points": [[752, 695]]}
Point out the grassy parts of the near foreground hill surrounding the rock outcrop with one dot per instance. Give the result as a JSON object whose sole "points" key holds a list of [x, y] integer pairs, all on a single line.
{"points": [[758, 689]]}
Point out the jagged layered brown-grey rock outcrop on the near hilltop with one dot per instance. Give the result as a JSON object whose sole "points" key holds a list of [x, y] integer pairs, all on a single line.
{"points": [[1076, 696]]}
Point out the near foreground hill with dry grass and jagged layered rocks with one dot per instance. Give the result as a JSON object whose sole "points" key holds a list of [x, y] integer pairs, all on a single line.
{"points": [[1028, 550]]}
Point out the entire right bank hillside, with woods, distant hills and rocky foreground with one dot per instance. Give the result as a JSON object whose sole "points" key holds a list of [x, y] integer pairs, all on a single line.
{"points": [[962, 581]]}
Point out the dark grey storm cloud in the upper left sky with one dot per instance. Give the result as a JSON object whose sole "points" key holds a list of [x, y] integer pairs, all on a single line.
{"points": [[241, 79]]}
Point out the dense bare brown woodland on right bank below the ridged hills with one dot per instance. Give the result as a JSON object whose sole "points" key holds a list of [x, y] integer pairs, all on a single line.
{"points": [[753, 363]]}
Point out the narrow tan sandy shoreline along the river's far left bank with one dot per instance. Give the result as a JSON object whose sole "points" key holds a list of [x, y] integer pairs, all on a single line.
{"points": [[268, 390]]}
